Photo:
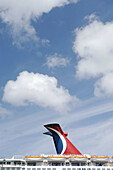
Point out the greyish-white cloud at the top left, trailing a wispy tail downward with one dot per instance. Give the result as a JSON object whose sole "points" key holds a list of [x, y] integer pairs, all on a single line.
{"points": [[19, 14]]}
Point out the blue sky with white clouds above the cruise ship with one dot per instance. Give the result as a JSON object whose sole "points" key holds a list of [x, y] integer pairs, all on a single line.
{"points": [[56, 65]]}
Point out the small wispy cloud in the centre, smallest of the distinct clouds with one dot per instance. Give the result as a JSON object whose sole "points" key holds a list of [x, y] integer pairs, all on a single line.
{"points": [[56, 60]]}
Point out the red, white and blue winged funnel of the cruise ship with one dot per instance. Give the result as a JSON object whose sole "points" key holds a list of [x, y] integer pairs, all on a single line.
{"points": [[62, 143]]}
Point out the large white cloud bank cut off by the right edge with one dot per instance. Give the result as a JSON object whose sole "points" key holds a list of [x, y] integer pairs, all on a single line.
{"points": [[93, 44]]}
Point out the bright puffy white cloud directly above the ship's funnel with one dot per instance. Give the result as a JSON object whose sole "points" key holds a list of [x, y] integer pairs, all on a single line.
{"points": [[38, 89]]}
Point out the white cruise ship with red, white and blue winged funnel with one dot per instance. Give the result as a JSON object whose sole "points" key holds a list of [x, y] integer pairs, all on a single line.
{"points": [[68, 157]]}
